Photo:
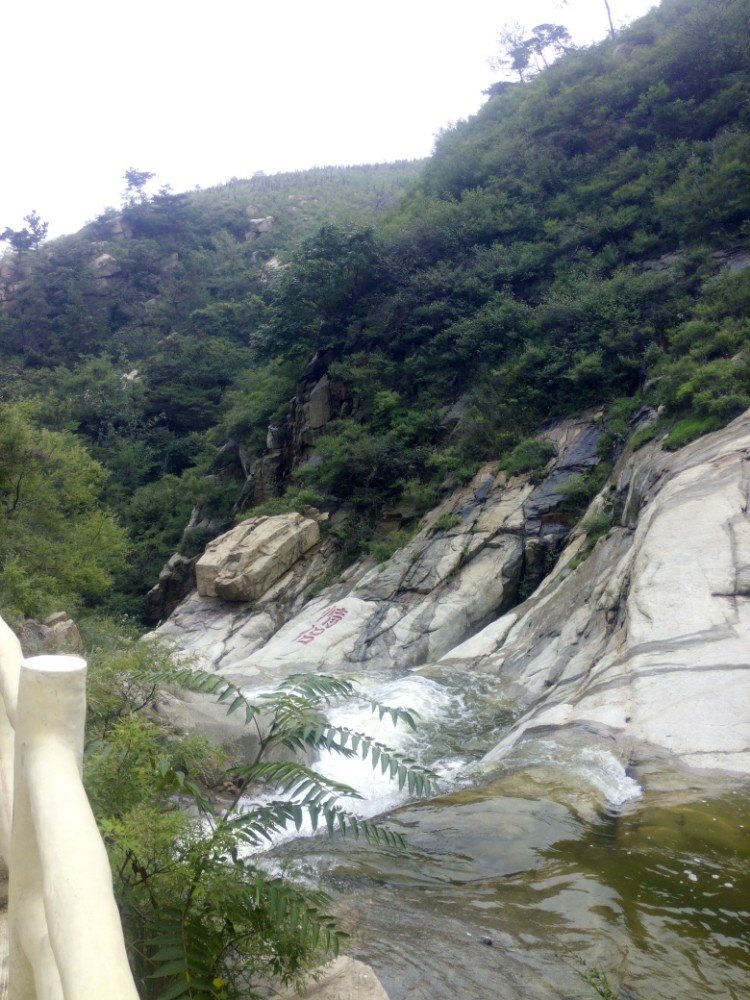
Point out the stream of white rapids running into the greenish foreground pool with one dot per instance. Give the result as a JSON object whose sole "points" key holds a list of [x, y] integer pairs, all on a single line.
{"points": [[555, 867]]}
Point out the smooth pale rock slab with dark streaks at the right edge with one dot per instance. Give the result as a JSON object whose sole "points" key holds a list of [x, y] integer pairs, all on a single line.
{"points": [[647, 641]]}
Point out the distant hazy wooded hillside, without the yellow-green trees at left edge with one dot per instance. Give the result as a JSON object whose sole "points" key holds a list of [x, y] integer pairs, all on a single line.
{"points": [[141, 336]]}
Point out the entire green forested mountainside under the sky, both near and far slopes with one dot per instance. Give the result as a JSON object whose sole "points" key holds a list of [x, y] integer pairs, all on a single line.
{"points": [[581, 242]]}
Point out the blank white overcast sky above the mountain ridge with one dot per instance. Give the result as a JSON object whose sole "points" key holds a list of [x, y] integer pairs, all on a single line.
{"points": [[199, 93]]}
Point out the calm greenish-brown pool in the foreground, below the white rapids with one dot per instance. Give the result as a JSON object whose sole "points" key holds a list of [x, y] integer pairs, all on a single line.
{"points": [[505, 894]]}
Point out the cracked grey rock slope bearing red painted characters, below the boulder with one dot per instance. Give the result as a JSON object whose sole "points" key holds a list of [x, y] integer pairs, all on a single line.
{"points": [[460, 571]]}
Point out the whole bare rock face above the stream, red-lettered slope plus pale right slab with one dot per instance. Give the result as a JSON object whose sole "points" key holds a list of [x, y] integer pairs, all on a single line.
{"points": [[643, 643]]}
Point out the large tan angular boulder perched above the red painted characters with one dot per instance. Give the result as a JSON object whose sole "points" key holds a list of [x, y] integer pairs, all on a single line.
{"points": [[242, 564]]}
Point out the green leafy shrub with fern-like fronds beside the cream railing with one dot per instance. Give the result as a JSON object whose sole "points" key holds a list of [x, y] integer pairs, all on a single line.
{"points": [[203, 918]]}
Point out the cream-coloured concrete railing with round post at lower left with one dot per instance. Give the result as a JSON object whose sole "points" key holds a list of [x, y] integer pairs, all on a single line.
{"points": [[64, 932]]}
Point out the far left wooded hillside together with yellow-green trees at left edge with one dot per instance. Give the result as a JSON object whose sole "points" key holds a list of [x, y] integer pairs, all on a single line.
{"points": [[120, 343]]}
